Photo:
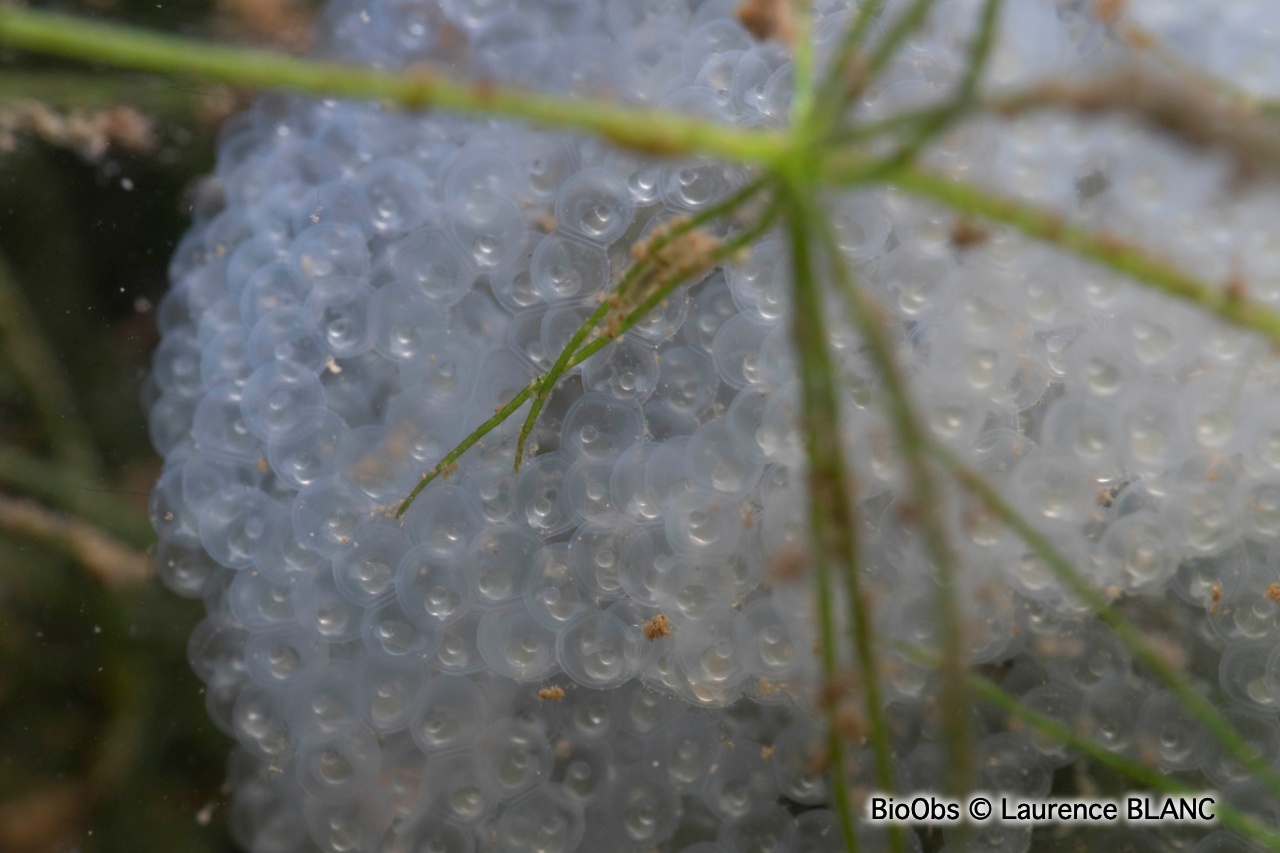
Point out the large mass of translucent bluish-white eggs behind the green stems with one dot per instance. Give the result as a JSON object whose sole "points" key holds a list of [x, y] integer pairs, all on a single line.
{"points": [[612, 649]]}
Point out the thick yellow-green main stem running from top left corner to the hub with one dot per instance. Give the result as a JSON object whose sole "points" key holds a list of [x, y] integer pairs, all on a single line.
{"points": [[647, 131]]}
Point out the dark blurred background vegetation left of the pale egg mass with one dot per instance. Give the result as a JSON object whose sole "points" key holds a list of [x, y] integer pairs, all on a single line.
{"points": [[104, 740]]}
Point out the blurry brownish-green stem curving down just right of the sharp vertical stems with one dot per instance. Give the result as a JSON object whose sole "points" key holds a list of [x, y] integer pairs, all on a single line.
{"points": [[927, 505]]}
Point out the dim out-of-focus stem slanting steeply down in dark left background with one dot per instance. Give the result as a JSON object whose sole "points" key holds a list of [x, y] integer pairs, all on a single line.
{"points": [[44, 380]]}
